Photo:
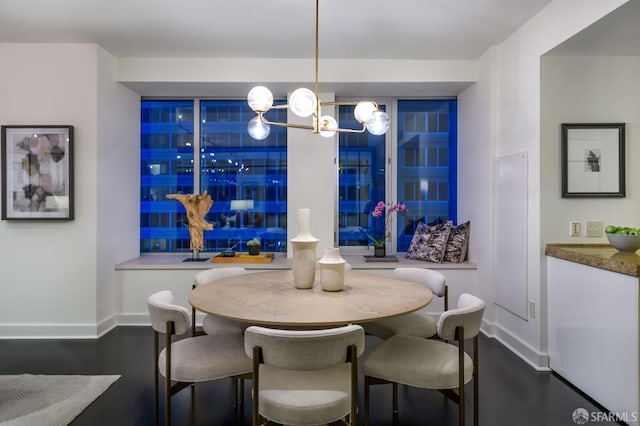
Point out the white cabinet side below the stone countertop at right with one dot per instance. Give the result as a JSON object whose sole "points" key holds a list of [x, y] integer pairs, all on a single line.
{"points": [[593, 333]]}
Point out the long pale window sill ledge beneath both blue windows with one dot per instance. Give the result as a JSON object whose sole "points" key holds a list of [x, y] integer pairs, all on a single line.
{"points": [[280, 261]]}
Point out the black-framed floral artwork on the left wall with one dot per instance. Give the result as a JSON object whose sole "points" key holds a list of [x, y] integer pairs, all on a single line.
{"points": [[37, 172]]}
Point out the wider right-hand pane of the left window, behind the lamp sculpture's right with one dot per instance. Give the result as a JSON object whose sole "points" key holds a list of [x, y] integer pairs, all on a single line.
{"points": [[248, 178]]}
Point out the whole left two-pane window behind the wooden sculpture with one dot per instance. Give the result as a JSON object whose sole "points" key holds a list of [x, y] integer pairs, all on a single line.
{"points": [[246, 179]]}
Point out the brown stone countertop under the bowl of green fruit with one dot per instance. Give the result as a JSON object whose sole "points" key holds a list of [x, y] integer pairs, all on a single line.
{"points": [[601, 256]]}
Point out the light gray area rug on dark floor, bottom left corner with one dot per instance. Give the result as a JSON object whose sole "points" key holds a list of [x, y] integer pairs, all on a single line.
{"points": [[29, 400]]}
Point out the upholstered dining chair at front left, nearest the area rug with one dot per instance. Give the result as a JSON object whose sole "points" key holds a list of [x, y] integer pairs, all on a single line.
{"points": [[191, 359]]}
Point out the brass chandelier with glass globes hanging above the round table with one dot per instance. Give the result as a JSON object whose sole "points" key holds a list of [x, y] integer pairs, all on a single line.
{"points": [[304, 103]]}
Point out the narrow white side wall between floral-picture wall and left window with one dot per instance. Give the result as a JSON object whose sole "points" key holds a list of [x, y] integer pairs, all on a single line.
{"points": [[118, 186]]}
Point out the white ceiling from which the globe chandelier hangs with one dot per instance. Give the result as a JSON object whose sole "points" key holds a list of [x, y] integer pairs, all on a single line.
{"points": [[361, 29]]}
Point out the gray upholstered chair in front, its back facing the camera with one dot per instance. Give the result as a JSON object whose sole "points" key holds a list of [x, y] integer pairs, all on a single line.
{"points": [[305, 377]]}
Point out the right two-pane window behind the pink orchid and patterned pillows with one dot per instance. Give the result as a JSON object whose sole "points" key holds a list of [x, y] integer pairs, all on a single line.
{"points": [[425, 160]]}
